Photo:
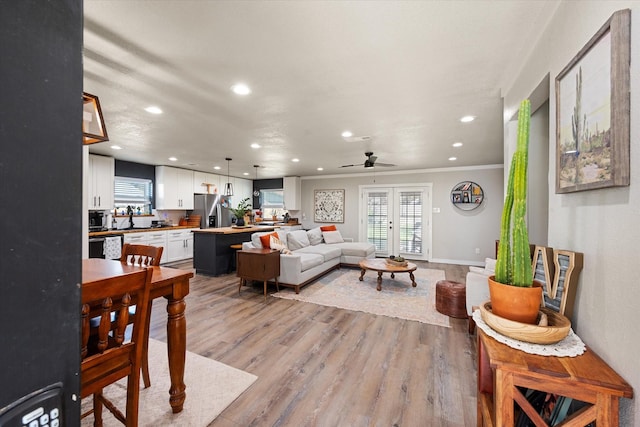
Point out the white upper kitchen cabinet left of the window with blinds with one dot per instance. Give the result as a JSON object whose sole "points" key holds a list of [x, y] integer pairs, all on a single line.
{"points": [[100, 182]]}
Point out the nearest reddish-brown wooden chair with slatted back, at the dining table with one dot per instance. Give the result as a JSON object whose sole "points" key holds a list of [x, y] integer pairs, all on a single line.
{"points": [[106, 356]]}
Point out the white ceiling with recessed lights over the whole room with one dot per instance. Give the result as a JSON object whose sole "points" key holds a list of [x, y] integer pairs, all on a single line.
{"points": [[401, 73]]}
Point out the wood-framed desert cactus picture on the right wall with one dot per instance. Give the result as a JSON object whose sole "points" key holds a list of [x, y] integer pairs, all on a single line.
{"points": [[593, 111]]}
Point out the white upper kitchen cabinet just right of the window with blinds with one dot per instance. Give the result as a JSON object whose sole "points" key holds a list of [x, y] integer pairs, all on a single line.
{"points": [[174, 188]]}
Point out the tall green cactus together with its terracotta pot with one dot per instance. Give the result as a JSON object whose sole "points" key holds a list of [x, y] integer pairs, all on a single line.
{"points": [[513, 292]]}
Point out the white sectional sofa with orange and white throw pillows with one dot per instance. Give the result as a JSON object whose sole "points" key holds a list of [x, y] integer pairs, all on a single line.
{"points": [[312, 256]]}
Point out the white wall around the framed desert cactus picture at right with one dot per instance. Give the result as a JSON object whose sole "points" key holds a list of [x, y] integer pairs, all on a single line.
{"points": [[603, 224]]}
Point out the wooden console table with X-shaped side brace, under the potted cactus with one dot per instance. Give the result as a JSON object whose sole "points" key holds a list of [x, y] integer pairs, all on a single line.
{"points": [[587, 378]]}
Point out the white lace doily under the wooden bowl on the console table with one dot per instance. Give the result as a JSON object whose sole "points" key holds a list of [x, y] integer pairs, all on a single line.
{"points": [[570, 346]]}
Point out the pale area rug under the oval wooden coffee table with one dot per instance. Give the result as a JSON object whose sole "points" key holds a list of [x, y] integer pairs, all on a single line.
{"points": [[342, 289]]}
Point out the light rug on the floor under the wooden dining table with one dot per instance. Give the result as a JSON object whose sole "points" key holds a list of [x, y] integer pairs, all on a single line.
{"points": [[211, 387]]}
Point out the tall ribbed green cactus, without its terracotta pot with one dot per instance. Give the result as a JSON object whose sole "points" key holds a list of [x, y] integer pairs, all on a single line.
{"points": [[513, 266]]}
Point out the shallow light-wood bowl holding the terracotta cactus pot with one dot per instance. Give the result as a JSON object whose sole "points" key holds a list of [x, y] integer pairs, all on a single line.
{"points": [[552, 327]]}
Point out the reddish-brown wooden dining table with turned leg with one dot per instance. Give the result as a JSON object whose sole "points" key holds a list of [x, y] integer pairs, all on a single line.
{"points": [[173, 285]]}
